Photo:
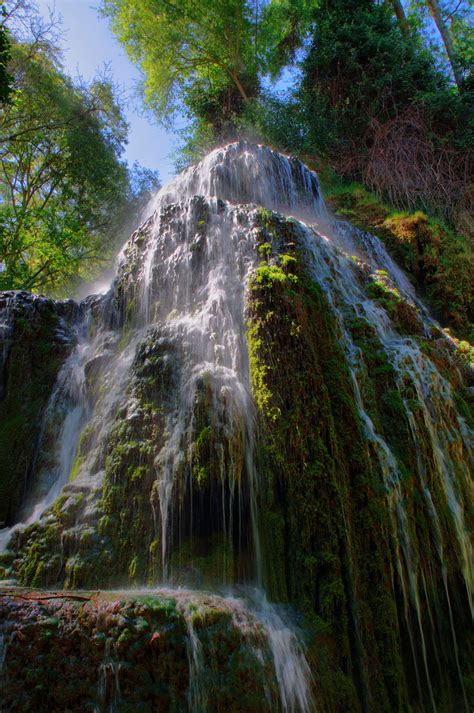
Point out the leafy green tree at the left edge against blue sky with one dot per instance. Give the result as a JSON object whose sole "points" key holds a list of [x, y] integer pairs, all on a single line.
{"points": [[65, 192]]}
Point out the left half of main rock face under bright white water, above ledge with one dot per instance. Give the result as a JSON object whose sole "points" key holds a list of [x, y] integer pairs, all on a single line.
{"points": [[163, 462]]}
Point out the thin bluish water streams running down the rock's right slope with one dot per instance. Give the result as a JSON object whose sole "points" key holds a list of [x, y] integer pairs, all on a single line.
{"points": [[334, 271]]}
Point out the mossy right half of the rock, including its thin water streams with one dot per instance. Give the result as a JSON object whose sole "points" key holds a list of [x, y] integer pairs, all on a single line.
{"points": [[358, 504]]}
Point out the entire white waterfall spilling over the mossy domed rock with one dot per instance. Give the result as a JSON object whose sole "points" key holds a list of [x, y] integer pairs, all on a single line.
{"points": [[149, 437]]}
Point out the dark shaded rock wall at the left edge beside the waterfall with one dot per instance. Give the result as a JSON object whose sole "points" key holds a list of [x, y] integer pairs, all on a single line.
{"points": [[36, 336]]}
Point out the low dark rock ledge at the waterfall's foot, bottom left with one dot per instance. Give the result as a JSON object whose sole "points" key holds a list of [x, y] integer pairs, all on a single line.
{"points": [[149, 653]]}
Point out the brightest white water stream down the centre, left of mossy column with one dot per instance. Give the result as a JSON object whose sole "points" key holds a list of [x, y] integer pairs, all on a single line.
{"points": [[208, 322]]}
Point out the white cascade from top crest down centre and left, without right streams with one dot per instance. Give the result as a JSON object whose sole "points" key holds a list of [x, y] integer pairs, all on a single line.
{"points": [[192, 286]]}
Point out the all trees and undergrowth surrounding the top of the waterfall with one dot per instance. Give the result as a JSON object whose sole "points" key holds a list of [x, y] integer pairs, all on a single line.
{"points": [[377, 96]]}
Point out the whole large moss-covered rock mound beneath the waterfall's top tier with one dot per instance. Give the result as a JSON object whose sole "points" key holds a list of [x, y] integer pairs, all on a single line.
{"points": [[343, 486]]}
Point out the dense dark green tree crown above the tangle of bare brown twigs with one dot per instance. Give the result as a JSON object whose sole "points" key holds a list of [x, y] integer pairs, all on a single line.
{"points": [[359, 67]]}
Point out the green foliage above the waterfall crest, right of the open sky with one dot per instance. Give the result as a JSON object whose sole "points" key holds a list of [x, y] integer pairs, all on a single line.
{"points": [[371, 96]]}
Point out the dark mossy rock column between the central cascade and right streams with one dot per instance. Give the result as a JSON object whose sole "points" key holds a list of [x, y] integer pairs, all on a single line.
{"points": [[327, 518]]}
